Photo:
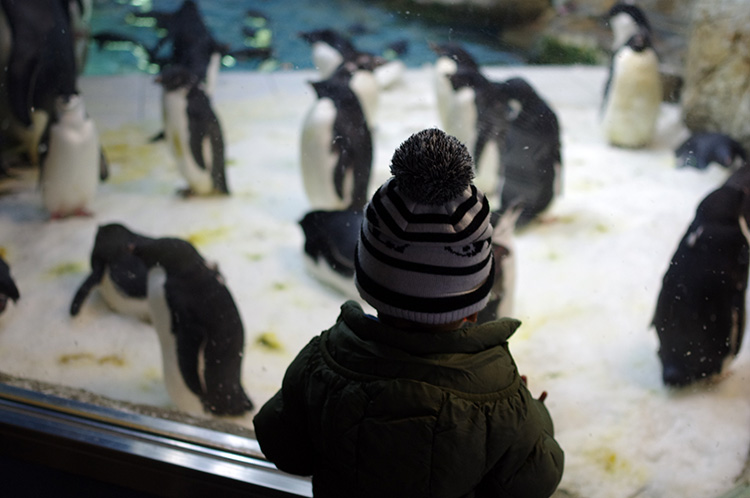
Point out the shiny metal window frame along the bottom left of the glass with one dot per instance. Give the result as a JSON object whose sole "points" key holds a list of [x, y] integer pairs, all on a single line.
{"points": [[148, 454]]}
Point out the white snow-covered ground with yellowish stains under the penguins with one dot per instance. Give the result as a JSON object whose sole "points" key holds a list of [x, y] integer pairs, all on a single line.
{"points": [[587, 277]]}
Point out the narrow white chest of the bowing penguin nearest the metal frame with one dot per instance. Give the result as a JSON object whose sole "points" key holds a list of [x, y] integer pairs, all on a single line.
{"points": [[161, 318]]}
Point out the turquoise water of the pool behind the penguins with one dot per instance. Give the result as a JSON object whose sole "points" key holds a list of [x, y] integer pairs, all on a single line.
{"points": [[285, 19]]}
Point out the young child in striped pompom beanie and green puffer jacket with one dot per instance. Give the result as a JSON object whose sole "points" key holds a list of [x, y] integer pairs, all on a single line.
{"points": [[418, 401]]}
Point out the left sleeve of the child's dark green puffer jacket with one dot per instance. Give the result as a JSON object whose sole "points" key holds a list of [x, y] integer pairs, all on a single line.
{"points": [[281, 424]]}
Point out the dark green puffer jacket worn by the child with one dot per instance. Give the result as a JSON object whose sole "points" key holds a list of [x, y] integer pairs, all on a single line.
{"points": [[373, 411]]}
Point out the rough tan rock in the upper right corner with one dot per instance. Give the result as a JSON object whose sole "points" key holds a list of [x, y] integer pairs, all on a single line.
{"points": [[716, 93]]}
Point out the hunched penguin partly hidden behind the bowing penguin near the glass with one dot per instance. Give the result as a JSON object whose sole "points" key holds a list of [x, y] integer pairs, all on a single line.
{"points": [[120, 276]]}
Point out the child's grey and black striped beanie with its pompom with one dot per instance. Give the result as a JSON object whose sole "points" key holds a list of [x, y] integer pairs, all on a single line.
{"points": [[424, 250]]}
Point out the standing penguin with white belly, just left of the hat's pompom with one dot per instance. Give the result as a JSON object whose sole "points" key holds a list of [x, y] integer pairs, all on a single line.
{"points": [[336, 148]]}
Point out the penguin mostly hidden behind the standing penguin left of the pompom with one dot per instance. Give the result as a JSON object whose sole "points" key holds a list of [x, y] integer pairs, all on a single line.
{"points": [[331, 49]]}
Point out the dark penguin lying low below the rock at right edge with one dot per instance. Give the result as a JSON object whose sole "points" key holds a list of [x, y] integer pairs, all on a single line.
{"points": [[704, 148]]}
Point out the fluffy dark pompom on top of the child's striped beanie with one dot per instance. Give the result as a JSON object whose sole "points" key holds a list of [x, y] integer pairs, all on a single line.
{"points": [[432, 167]]}
